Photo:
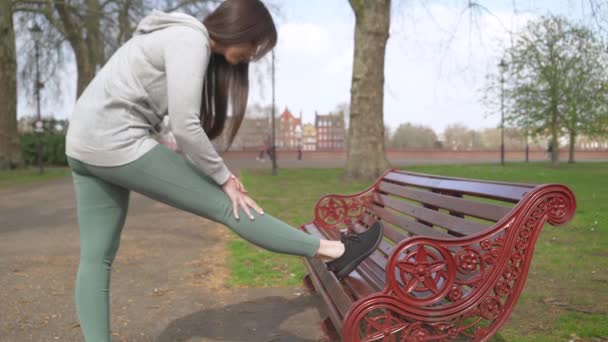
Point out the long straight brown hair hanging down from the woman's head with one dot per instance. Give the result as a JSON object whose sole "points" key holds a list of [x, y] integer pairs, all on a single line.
{"points": [[226, 85]]}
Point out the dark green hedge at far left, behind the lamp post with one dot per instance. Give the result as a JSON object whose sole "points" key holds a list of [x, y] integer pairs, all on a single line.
{"points": [[53, 148]]}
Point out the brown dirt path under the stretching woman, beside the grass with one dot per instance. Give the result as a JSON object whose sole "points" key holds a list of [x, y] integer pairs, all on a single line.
{"points": [[167, 281]]}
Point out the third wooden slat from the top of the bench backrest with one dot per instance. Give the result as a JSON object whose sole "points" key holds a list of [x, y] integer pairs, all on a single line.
{"points": [[451, 223]]}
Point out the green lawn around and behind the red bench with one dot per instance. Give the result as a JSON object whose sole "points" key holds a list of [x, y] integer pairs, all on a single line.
{"points": [[566, 293]]}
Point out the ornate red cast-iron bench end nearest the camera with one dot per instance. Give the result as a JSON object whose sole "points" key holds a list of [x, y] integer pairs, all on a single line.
{"points": [[471, 280]]}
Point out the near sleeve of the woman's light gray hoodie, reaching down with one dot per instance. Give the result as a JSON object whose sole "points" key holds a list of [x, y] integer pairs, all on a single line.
{"points": [[186, 57]]}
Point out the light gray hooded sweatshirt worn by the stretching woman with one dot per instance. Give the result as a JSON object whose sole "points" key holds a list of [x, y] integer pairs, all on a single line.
{"points": [[160, 71]]}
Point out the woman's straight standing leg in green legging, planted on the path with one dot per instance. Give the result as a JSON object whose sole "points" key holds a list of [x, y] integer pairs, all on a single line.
{"points": [[102, 209]]}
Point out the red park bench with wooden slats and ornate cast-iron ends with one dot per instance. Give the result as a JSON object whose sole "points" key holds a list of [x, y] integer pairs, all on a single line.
{"points": [[453, 261]]}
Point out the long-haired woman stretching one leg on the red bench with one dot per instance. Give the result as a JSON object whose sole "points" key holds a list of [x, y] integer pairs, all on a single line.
{"points": [[193, 72]]}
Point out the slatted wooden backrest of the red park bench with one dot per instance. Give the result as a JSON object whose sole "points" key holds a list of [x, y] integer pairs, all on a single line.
{"points": [[411, 204]]}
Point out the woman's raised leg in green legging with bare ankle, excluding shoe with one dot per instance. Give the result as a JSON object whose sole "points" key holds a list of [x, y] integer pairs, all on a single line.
{"points": [[170, 178]]}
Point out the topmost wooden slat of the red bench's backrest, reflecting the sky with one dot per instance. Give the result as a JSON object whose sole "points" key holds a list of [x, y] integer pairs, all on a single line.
{"points": [[503, 192]]}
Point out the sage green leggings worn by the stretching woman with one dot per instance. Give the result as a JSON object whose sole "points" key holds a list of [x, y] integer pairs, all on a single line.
{"points": [[102, 196]]}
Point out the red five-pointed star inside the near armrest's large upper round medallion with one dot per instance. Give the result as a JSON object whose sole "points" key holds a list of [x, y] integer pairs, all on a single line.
{"points": [[422, 270]]}
